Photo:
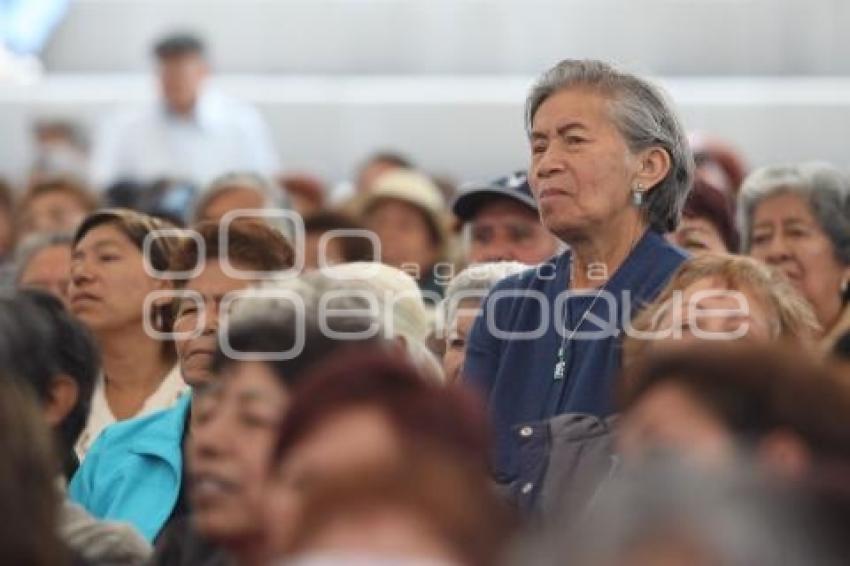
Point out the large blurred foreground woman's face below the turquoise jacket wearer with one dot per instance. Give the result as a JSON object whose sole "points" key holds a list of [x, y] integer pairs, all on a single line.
{"points": [[233, 429]]}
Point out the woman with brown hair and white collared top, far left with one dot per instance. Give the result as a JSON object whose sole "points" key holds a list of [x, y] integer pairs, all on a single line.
{"points": [[109, 292]]}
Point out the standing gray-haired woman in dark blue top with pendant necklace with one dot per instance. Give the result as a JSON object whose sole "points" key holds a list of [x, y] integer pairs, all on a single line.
{"points": [[610, 169]]}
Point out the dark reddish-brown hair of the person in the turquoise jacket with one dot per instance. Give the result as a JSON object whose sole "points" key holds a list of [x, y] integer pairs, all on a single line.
{"points": [[253, 243]]}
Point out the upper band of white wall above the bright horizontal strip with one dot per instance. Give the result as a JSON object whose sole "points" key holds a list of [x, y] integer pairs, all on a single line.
{"points": [[664, 37]]}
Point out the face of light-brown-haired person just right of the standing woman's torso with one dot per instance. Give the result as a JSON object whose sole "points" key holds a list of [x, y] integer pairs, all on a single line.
{"points": [[712, 311]]}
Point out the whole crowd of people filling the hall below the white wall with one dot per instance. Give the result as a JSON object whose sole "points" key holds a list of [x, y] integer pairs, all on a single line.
{"points": [[633, 351]]}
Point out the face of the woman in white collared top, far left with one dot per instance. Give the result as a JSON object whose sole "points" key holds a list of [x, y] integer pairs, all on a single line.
{"points": [[108, 280]]}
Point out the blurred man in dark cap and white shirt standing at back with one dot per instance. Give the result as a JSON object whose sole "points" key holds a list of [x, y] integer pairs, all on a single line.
{"points": [[191, 133]]}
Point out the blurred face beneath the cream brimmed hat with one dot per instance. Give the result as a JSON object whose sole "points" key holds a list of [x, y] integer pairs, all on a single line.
{"points": [[404, 235]]}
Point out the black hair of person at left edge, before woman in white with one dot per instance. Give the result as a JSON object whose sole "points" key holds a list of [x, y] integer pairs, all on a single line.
{"points": [[40, 340]]}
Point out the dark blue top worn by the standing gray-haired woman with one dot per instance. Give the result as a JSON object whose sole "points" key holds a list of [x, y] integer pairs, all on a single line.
{"points": [[513, 345]]}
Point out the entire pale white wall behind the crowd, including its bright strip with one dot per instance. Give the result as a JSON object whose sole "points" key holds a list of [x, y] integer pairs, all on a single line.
{"points": [[444, 80]]}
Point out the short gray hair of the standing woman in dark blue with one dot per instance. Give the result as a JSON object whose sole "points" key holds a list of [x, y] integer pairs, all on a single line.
{"points": [[643, 116]]}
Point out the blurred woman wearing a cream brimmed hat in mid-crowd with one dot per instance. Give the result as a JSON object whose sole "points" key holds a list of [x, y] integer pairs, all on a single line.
{"points": [[405, 210]]}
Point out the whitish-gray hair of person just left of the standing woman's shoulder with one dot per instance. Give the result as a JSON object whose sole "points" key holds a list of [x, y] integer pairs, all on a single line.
{"points": [[474, 282]]}
